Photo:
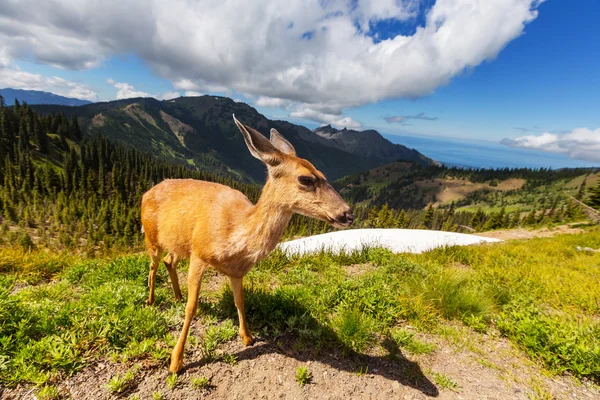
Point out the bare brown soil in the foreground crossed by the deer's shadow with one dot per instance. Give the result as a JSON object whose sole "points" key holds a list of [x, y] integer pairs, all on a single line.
{"points": [[482, 366]]}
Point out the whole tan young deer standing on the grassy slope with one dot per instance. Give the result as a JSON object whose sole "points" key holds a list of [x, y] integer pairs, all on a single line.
{"points": [[216, 226]]}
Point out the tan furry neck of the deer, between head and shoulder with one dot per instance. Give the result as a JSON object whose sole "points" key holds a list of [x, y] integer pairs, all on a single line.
{"points": [[267, 220]]}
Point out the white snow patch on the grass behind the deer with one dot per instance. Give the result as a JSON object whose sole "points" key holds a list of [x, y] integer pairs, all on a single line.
{"points": [[397, 240]]}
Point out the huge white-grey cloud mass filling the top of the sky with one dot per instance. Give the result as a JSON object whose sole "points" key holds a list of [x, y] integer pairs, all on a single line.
{"points": [[310, 53]]}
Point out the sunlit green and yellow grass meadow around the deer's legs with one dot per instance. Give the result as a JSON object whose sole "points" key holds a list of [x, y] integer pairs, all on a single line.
{"points": [[542, 294]]}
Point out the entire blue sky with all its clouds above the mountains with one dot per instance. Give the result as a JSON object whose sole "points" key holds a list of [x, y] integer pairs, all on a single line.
{"points": [[523, 73]]}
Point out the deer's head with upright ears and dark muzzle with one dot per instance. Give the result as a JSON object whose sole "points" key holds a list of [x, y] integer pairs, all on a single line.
{"points": [[294, 183]]}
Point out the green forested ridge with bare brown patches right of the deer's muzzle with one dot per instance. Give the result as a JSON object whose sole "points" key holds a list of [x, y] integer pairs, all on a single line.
{"points": [[404, 185]]}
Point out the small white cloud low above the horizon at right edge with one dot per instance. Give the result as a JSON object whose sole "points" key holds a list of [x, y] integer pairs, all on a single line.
{"points": [[579, 144]]}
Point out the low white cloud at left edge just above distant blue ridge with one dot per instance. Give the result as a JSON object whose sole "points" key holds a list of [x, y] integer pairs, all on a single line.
{"points": [[17, 79]]}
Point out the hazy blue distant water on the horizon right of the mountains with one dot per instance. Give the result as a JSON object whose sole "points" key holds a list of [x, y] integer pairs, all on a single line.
{"points": [[484, 154]]}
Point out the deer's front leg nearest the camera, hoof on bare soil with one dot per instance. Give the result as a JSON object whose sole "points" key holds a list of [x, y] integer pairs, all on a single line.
{"points": [[195, 274]]}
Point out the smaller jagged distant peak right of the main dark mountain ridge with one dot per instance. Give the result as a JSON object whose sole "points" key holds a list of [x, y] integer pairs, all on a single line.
{"points": [[370, 144]]}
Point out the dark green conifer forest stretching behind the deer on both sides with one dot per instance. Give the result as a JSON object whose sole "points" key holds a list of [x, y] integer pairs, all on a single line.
{"points": [[63, 190]]}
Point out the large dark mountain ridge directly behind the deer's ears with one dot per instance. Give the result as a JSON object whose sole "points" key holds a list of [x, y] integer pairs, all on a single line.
{"points": [[200, 131]]}
